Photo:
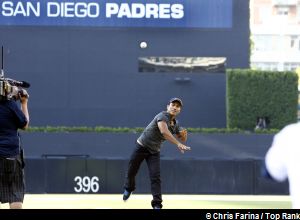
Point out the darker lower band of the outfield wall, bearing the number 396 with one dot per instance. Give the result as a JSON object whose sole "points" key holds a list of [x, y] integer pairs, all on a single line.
{"points": [[194, 176]]}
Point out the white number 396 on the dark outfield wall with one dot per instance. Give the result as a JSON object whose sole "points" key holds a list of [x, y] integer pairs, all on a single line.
{"points": [[86, 184]]}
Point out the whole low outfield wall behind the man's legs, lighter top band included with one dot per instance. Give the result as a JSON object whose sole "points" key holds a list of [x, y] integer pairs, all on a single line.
{"points": [[97, 162]]}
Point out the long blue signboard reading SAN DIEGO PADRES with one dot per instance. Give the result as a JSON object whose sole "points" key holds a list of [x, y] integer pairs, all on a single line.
{"points": [[118, 13]]}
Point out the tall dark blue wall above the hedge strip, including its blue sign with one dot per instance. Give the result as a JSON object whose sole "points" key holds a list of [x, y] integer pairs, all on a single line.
{"points": [[87, 73]]}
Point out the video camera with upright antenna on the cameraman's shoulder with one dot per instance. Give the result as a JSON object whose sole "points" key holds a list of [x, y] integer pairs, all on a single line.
{"points": [[10, 88]]}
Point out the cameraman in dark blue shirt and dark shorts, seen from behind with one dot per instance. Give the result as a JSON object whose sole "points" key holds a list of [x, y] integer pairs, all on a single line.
{"points": [[12, 118]]}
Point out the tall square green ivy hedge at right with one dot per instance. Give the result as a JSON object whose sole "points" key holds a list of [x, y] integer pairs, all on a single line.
{"points": [[252, 94]]}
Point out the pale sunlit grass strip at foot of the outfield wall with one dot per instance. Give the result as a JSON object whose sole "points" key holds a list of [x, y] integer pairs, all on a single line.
{"points": [[138, 201]]}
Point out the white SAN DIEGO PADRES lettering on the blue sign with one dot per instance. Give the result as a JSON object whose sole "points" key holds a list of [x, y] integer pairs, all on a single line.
{"points": [[73, 9]]}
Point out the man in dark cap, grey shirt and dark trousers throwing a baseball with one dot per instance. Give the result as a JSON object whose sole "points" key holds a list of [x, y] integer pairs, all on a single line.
{"points": [[161, 128]]}
